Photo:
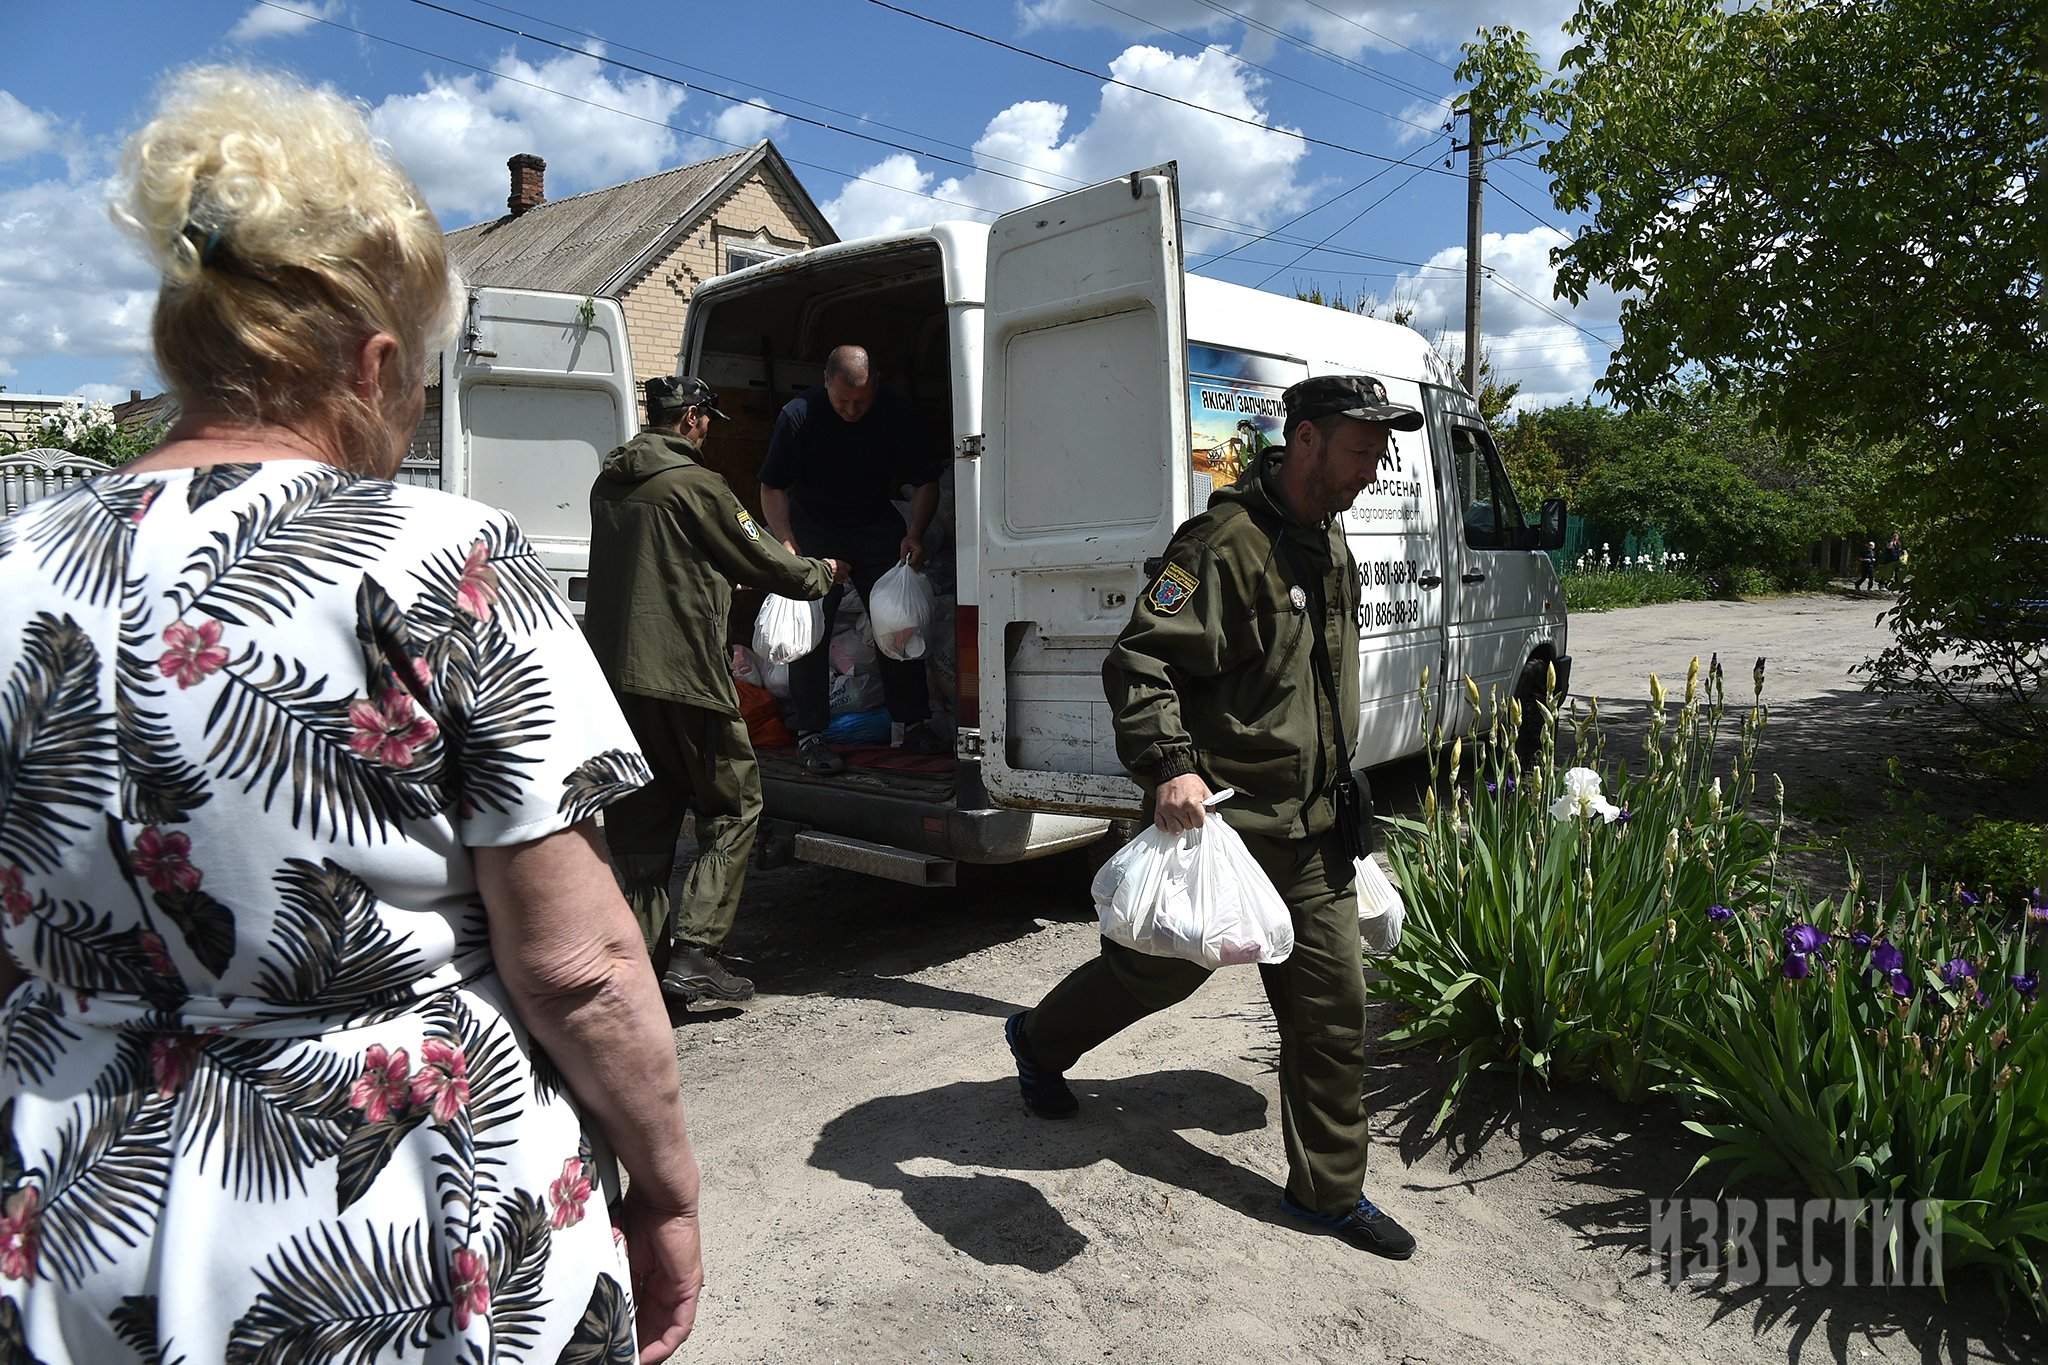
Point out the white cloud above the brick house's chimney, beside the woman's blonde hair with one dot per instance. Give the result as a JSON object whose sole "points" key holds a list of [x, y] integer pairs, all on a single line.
{"points": [[458, 134]]}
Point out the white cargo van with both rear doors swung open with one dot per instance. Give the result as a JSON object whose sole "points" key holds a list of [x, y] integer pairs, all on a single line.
{"points": [[1093, 396]]}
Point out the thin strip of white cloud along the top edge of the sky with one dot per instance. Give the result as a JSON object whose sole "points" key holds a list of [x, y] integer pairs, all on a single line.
{"points": [[1355, 32]]}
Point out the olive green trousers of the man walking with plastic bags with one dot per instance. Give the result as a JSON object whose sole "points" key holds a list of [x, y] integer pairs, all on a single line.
{"points": [[1318, 998]]}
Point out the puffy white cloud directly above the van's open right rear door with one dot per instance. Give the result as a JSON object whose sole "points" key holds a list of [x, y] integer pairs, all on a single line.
{"points": [[1228, 171]]}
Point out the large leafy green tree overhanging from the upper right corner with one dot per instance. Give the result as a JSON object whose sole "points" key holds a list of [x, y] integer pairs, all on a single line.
{"points": [[1834, 206]]}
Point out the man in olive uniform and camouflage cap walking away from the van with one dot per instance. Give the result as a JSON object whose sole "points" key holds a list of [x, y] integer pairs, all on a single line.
{"points": [[1240, 670]]}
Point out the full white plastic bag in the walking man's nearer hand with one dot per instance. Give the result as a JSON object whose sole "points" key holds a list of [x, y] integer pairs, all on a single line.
{"points": [[1195, 895]]}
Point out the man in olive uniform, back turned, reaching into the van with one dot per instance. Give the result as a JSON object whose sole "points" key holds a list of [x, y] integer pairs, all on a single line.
{"points": [[667, 545]]}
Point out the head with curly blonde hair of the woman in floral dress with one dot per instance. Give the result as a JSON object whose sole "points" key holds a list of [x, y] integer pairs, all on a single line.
{"points": [[286, 238]]}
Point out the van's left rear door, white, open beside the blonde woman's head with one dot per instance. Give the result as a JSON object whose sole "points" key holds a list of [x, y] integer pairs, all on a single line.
{"points": [[538, 388]]}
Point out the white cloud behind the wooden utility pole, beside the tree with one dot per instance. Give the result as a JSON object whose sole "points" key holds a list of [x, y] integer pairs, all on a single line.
{"points": [[1553, 361]]}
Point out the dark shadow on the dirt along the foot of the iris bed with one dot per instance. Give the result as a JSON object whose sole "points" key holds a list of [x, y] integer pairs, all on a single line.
{"points": [[1621, 1159]]}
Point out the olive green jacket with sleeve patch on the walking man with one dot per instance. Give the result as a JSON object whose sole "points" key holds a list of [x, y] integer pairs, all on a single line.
{"points": [[1215, 674]]}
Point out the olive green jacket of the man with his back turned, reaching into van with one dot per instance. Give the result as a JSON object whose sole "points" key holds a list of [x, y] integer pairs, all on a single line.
{"points": [[667, 545]]}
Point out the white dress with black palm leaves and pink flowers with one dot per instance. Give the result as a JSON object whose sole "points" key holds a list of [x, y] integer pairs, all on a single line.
{"points": [[263, 1096]]}
